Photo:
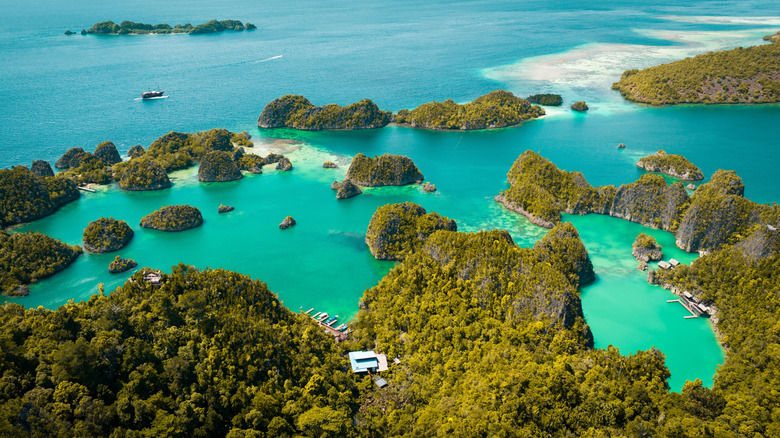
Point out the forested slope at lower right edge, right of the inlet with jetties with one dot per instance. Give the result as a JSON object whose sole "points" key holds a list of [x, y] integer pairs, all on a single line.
{"points": [[746, 293]]}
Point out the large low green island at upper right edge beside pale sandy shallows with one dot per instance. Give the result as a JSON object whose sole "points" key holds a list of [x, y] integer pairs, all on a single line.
{"points": [[739, 75]]}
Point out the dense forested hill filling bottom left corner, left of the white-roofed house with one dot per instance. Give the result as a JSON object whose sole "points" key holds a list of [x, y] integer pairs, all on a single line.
{"points": [[207, 353]]}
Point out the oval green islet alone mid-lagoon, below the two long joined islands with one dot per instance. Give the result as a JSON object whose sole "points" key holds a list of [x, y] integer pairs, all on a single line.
{"points": [[385, 170]]}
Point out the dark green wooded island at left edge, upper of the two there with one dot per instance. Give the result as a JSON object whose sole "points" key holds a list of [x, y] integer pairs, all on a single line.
{"points": [[25, 197]]}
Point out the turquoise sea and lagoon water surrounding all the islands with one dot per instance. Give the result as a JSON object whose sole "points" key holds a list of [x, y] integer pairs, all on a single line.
{"points": [[79, 91]]}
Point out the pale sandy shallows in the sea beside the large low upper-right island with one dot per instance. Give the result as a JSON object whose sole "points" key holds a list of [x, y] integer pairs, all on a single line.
{"points": [[588, 71]]}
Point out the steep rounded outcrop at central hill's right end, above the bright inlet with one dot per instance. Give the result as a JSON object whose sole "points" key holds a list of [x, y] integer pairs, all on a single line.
{"points": [[563, 249]]}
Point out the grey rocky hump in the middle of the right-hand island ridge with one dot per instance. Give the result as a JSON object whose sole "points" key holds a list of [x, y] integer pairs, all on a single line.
{"points": [[650, 202]]}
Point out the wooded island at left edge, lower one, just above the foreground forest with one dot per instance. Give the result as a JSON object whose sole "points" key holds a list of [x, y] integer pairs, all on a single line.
{"points": [[28, 257]]}
